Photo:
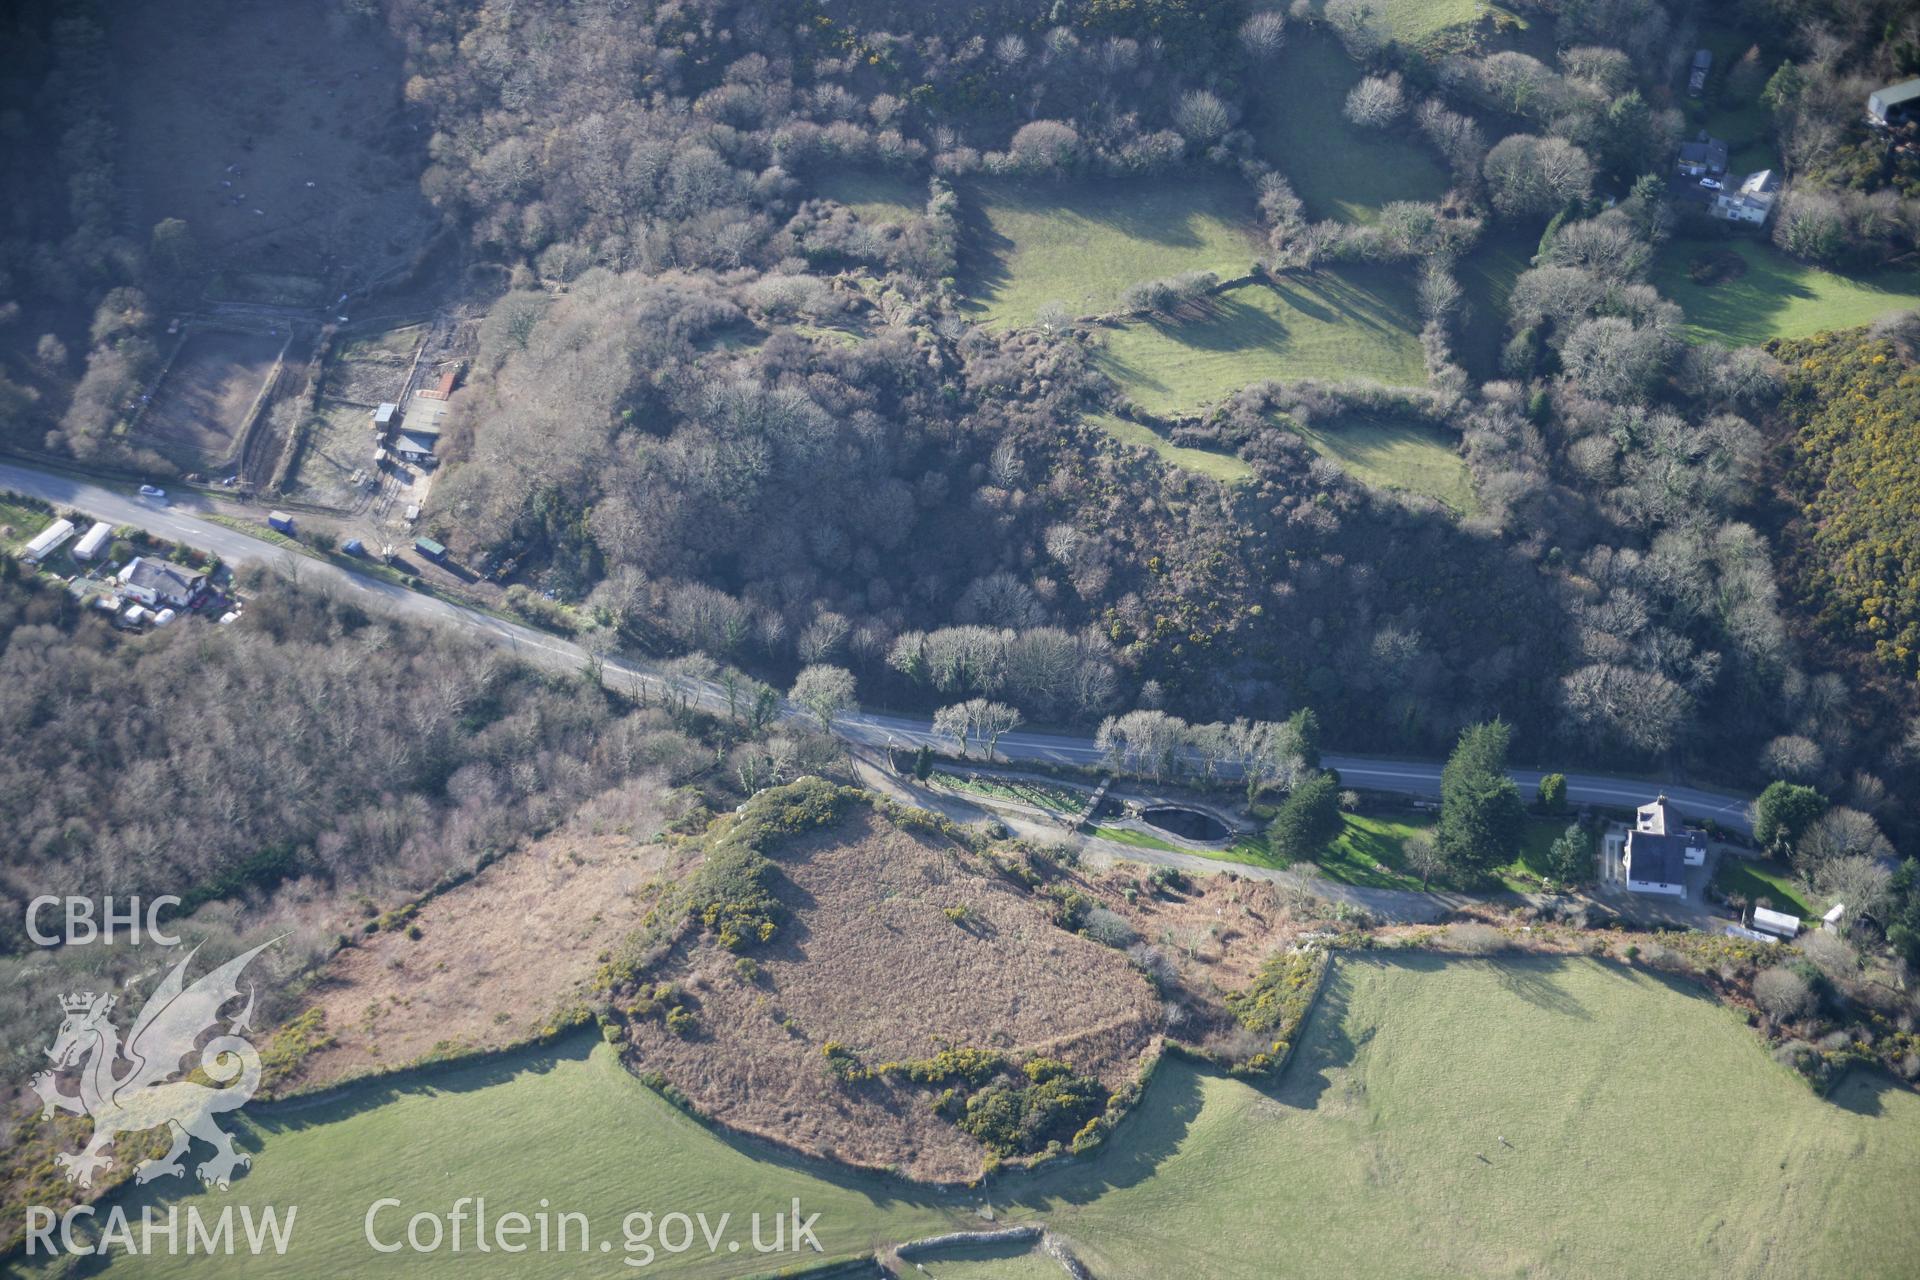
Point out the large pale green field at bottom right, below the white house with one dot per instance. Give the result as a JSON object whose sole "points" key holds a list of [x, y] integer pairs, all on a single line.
{"points": [[1646, 1135]]}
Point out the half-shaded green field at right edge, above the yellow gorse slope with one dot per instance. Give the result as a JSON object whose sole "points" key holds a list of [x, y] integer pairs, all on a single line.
{"points": [[1777, 296]]}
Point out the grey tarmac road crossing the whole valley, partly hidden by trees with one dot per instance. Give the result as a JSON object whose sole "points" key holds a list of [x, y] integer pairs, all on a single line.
{"points": [[176, 519]]}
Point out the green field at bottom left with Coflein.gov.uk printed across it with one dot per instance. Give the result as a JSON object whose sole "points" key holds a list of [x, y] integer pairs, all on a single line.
{"points": [[569, 1126]]}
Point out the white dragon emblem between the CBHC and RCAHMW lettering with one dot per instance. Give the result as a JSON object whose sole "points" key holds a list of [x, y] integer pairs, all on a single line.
{"points": [[145, 1093]]}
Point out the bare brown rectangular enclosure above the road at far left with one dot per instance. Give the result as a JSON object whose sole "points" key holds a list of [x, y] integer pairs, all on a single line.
{"points": [[204, 400]]}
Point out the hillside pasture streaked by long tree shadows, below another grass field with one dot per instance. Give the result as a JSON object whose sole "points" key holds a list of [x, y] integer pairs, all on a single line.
{"points": [[1349, 323]]}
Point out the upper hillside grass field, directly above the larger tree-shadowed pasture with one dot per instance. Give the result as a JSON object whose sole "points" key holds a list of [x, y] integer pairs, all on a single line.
{"points": [[1080, 245]]}
